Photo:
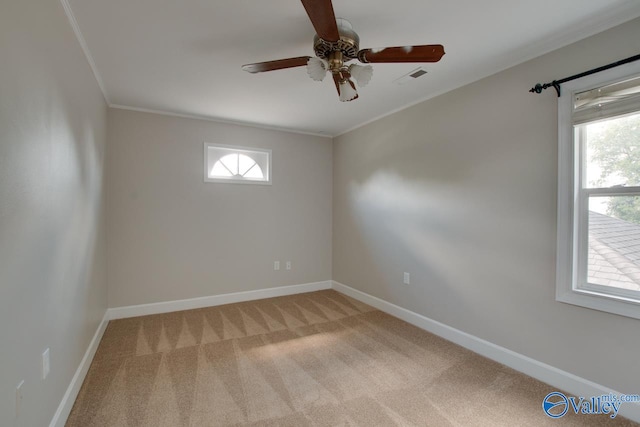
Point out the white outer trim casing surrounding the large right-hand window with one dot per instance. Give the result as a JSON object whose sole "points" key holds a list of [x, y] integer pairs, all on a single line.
{"points": [[568, 240]]}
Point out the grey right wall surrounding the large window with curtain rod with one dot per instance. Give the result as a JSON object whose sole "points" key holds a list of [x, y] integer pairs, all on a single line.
{"points": [[460, 191]]}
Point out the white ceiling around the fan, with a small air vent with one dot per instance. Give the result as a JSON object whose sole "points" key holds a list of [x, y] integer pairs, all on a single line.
{"points": [[184, 56]]}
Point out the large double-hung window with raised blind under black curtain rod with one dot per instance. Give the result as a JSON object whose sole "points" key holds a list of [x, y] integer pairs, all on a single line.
{"points": [[598, 262]]}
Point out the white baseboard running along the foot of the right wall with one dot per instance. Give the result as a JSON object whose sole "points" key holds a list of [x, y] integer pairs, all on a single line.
{"points": [[555, 377]]}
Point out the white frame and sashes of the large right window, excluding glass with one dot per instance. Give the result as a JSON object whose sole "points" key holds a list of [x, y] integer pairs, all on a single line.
{"points": [[572, 220]]}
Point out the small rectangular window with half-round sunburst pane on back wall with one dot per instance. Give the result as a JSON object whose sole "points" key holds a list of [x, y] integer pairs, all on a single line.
{"points": [[232, 164]]}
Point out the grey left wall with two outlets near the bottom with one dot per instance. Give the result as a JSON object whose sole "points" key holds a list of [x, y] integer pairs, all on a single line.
{"points": [[52, 243]]}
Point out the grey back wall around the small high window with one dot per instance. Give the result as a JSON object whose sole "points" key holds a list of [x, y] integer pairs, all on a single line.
{"points": [[172, 236]]}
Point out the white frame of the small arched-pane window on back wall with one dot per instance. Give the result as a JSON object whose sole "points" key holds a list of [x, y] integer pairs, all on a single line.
{"points": [[251, 152]]}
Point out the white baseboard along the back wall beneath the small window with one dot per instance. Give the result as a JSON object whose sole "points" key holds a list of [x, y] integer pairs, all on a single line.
{"points": [[210, 301]]}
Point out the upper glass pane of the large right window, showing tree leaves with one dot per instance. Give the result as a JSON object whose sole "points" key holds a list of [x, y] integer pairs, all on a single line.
{"points": [[613, 152]]}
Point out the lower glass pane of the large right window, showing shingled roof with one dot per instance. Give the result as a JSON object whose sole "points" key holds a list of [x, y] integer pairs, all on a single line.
{"points": [[614, 242]]}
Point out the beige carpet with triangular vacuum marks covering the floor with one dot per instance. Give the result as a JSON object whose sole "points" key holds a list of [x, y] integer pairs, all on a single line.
{"points": [[316, 359]]}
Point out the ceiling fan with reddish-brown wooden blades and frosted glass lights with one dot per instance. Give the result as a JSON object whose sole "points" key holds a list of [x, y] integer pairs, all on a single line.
{"points": [[335, 44]]}
